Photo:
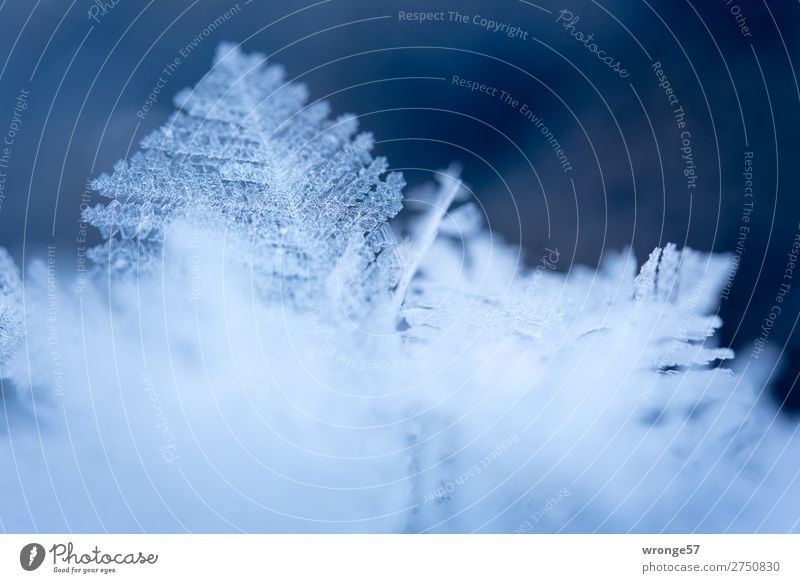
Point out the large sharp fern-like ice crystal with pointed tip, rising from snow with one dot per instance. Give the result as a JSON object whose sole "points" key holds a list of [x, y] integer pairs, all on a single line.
{"points": [[297, 191]]}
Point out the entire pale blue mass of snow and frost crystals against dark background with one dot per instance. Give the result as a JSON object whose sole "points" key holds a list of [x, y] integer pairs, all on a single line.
{"points": [[264, 346]]}
